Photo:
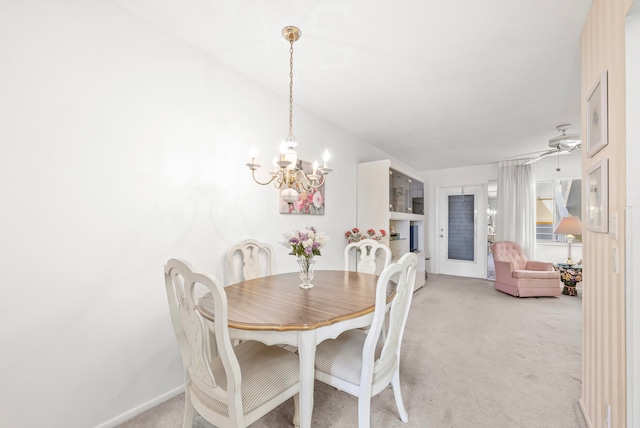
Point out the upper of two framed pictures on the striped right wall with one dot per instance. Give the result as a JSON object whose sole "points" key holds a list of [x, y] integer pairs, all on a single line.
{"points": [[597, 116]]}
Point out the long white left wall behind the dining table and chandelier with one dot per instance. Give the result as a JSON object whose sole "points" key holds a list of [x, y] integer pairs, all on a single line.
{"points": [[122, 147]]}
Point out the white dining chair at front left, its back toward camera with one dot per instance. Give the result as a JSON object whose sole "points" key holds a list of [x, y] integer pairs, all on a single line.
{"points": [[241, 384]]}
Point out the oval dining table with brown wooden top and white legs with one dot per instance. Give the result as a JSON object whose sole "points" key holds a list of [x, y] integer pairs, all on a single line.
{"points": [[274, 310]]}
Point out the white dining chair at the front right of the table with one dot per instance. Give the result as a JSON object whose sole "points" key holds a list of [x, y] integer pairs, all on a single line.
{"points": [[362, 364]]}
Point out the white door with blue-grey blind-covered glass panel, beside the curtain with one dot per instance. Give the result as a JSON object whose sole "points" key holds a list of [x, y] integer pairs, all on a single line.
{"points": [[462, 231]]}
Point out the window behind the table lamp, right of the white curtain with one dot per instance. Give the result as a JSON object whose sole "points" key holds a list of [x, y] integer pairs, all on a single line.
{"points": [[556, 199]]}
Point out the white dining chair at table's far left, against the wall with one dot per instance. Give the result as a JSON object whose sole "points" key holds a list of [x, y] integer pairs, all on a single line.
{"points": [[248, 260]]}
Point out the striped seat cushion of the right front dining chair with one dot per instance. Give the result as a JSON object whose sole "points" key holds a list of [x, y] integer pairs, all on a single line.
{"points": [[342, 356]]}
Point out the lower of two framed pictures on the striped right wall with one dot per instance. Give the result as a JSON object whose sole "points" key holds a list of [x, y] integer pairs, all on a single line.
{"points": [[597, 190]]}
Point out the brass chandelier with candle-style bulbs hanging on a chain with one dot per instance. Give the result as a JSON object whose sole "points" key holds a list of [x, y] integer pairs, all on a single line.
{"points": [[288, 174]]}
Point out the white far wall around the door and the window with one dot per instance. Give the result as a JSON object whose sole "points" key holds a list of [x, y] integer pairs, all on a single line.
{"points": [[545, 170]]}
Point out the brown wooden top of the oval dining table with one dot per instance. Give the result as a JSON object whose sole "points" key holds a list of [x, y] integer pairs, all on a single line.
{"points": [[277, 303]]}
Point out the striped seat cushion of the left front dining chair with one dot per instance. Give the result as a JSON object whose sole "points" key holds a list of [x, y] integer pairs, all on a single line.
{"points": [[266, 372]]}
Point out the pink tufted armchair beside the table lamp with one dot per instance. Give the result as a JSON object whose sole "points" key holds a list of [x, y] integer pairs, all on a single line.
{"points": [[520, 277]]}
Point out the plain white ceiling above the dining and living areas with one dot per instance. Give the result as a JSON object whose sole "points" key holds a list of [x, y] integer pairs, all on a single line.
{"points": [[439, 84]]}
